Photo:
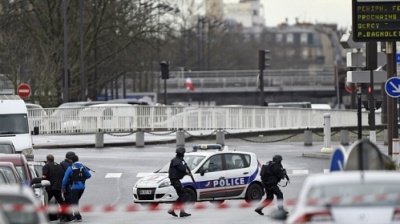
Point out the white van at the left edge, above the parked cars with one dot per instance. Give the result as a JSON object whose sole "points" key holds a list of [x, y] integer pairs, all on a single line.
{"points": [[14, 125]]}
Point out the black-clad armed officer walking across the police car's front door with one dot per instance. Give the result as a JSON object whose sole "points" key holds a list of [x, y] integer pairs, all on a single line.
{"points": [[177, 170]]}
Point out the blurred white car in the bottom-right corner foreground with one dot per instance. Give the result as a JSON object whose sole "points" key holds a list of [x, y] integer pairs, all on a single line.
{"points": [[349, 197]]}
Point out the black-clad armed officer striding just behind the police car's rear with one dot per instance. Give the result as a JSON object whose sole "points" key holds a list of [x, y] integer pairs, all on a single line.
{"points": [[271, 174]]}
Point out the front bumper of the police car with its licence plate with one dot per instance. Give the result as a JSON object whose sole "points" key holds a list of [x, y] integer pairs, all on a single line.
{"points": [[154, 195]]}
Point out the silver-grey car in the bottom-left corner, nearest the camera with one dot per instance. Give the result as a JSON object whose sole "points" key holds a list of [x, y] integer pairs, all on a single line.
{"points": [[22, 195]]}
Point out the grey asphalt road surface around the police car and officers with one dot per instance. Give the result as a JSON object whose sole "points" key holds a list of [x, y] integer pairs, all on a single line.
{"points": [[116, 169]]}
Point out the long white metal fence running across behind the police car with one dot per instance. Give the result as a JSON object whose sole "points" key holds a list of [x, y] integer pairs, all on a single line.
{"points": [[132, 118]]}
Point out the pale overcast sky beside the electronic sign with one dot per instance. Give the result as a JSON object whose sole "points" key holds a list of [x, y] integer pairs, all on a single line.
{"points": [[321, 11]]}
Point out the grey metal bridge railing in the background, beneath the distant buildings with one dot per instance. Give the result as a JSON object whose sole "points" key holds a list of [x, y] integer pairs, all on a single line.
{"points": [[247, 80]]}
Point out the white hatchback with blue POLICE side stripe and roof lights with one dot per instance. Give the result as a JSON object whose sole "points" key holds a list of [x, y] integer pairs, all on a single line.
{"points": [[219, 174]]}
